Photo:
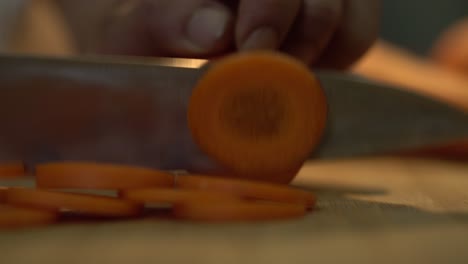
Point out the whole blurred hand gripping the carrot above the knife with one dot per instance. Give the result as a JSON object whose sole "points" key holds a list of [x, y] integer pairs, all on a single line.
{"points": [[327, 33]]}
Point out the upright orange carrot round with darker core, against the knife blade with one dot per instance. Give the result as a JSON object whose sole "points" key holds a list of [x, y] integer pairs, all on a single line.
{"points": [[260, 114]]}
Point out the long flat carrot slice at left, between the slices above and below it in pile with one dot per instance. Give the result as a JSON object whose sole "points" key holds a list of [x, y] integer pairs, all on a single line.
{"points": [[86, 204]]}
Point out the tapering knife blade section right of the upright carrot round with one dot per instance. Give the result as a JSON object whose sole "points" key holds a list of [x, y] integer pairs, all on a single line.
{"points": [[370, 118]]}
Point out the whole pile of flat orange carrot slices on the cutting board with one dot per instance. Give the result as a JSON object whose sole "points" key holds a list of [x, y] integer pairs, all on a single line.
{"points": [[190, 197]]}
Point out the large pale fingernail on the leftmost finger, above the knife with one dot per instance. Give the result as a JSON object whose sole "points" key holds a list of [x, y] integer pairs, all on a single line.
{"points": [[206, 26]]}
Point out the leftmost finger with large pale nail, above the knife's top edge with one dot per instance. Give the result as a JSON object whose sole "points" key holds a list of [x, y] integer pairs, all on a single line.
{"points": [[170, 28]]}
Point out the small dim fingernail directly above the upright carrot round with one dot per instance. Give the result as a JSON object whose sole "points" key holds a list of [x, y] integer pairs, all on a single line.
{"points": [[262, 38]]}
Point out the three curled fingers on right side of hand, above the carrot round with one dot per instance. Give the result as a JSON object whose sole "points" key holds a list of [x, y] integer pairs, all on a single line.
{"points": [[325, 33]]}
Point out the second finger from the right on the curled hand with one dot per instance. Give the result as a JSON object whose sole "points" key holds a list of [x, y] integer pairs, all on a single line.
{"points": [[314, 27]]}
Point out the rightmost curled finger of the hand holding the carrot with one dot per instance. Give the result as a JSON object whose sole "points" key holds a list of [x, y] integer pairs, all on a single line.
{"points": [[357, 31]]}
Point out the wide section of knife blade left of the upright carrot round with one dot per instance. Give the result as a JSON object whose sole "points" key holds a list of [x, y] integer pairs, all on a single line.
{"points": [[110, 110]]}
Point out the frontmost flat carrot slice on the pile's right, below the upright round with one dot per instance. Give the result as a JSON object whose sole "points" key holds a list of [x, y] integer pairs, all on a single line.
{"points": [[200, 210]]}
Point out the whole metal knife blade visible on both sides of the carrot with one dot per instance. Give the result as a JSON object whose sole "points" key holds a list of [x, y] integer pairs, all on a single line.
{"points": [[133, 110]]}
